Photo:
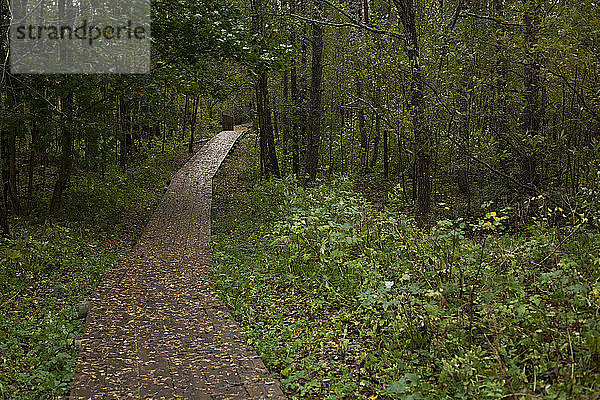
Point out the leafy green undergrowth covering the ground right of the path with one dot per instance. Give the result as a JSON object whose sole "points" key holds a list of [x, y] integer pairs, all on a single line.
{"points": [[346, 302]]}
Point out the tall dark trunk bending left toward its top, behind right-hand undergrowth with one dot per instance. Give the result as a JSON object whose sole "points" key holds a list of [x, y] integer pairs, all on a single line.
{"points": [[421, 129]]}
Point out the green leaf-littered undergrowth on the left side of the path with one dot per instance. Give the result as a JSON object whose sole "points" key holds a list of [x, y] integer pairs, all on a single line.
{"points": [[47, 268]]}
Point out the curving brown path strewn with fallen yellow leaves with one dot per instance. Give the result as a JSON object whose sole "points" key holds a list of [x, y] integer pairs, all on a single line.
{"points": [[155, 329]]}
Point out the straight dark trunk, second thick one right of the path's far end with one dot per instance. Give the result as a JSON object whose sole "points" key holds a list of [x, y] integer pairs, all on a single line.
{"points": [[314, 120]]}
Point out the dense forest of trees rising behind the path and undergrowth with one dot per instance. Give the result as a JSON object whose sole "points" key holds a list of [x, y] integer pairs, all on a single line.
{"points": [[458, 101]]}
